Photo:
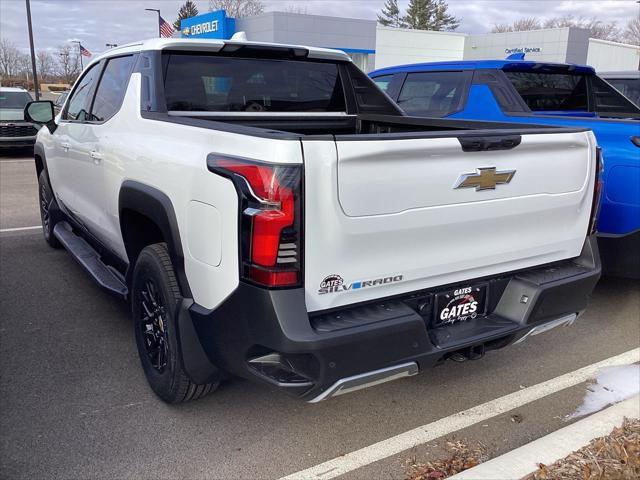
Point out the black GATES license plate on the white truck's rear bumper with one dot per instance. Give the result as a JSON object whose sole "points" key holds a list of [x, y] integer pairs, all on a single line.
{"points": [[460, 305]]}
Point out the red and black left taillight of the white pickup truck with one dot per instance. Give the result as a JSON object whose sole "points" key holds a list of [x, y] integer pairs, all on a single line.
{"points": [[270, 218]]}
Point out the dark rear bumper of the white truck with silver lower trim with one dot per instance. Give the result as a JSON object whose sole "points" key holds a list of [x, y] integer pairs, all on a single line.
{"points": [[267, 335]]}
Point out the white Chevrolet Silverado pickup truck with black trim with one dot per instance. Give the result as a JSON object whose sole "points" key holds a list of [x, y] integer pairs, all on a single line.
{"points": [[270, 213]]}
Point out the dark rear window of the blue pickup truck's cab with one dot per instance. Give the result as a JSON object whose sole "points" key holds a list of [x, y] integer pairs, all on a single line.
{"points": [[551, 91]]}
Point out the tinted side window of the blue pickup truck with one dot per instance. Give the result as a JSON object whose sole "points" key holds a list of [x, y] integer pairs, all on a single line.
{"points": [[434, 94]]}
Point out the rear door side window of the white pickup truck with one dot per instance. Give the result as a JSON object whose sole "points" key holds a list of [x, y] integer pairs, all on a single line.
{"points": [[111, 88]]}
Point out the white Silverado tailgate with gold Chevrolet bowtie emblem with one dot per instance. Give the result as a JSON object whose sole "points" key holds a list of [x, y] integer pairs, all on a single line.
{"points": [[387, 216]]}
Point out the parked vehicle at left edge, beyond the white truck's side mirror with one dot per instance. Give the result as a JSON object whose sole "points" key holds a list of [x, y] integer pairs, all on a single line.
{"points": [[14, 131]]}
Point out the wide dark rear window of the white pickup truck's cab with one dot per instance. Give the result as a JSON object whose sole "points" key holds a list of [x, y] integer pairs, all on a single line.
{"points": [[221, 84]]}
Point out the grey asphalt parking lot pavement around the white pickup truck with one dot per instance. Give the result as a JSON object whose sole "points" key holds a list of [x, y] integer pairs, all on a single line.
{"points": [[75, 404]]}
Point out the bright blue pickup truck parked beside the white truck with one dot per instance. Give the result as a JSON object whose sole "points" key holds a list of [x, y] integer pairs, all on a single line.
{"points": [[519, 91]]}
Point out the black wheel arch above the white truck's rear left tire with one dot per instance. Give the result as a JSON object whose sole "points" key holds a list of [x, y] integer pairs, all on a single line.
{"points": [[147, 216]]}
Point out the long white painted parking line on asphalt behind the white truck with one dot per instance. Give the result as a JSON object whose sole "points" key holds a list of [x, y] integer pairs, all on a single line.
{"points": [[466, 418]]}
